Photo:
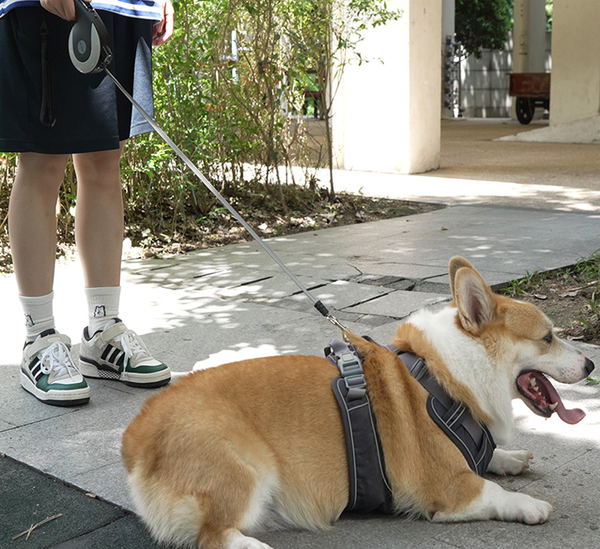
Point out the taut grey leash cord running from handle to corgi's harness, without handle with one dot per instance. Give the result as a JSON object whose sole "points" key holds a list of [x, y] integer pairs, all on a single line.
{"points": [[317, 303]]}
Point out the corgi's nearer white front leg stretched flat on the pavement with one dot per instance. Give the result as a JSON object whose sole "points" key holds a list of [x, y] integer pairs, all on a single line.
{"points": [[498, 504]]}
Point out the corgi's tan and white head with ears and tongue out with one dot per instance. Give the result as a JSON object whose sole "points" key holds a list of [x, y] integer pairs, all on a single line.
{"points": [[521, 338]]}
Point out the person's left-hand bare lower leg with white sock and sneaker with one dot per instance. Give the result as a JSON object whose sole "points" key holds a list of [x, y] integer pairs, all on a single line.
{"points": [[47, 371]]}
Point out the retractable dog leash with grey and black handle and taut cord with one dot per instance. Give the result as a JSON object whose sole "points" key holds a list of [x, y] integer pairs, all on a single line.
{"points": [[90, 53]]}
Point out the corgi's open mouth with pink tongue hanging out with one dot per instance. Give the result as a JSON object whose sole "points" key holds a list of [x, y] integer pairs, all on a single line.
{"points": [[537, 390]]}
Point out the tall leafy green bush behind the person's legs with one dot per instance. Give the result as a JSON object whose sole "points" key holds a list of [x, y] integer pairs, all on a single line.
{"points": [[229, 90]]}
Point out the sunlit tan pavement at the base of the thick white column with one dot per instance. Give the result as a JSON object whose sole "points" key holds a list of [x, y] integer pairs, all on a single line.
{"points": [[478, 167]]}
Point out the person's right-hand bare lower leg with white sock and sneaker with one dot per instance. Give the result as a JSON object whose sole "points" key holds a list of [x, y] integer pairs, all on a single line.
{"points": [[108, 348]]}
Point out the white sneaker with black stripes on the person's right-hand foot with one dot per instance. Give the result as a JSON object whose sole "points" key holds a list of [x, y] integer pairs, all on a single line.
{"points": [[118, 353]]}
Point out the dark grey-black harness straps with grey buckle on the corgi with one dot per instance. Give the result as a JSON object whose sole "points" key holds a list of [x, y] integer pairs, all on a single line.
{"points": [[369, 486]]}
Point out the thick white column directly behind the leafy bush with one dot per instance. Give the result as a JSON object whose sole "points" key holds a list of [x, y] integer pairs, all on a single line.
{"points": [[386, 117]]}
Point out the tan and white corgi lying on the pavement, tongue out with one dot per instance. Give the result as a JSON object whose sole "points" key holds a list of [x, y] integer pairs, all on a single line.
{"points": [[223, 451]]}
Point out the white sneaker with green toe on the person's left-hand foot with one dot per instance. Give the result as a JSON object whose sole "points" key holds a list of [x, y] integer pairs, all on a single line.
{"points": [[49, 374]]}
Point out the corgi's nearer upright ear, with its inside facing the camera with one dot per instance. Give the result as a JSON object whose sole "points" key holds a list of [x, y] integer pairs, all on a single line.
{"points": [[474, 300]]}
